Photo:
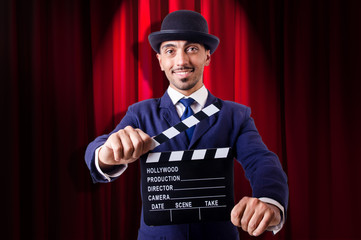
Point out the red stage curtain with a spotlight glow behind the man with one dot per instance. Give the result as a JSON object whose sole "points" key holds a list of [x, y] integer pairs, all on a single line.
{"points": [[71, 68]]}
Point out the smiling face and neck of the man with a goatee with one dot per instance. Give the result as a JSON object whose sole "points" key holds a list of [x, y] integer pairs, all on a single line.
{"points": [[183, 63]]}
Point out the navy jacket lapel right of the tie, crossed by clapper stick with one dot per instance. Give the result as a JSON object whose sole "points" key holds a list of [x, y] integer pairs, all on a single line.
{"points": [[205, 124]]}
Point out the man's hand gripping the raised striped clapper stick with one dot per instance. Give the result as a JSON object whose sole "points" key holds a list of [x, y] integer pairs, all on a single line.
{"points": [[123, 147]]}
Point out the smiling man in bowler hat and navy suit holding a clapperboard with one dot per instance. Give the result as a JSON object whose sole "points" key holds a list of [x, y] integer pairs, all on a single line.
{"points": [[184, 48]]}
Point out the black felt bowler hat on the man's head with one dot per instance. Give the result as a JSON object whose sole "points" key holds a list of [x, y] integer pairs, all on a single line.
{"points": [[184, 25]]}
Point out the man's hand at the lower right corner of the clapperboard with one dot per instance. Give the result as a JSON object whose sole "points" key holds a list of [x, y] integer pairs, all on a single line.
{"points": [[255, 216]]}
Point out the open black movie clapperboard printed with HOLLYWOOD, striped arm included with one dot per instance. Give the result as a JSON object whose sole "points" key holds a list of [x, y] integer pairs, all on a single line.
{"points": [[187, 186]]}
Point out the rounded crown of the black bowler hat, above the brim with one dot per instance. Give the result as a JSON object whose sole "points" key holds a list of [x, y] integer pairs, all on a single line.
{"points": [[185, 20]]}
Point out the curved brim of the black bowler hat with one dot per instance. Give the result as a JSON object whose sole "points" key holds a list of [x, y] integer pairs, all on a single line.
{"points": [[156, 38]]}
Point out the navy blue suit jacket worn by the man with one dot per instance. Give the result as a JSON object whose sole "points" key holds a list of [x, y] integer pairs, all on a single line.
{"points": [[231, 127]]}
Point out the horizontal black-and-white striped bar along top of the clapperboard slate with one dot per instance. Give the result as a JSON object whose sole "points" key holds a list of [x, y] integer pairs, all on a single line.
{"points": [[197, 154]]}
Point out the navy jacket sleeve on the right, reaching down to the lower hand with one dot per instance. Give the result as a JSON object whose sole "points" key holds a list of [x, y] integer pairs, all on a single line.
{"points": [[262, 167]]}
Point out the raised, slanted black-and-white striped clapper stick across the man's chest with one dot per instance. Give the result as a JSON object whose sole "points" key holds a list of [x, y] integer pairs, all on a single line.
{"points": [[186, 123]]}
